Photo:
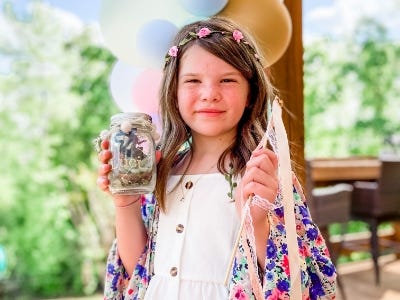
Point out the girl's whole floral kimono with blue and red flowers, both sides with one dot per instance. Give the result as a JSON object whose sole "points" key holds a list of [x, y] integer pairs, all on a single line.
{"points": [[318, 274]]}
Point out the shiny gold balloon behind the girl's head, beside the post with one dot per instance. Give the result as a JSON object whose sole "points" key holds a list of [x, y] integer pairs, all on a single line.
{"points": [[269, 22]]}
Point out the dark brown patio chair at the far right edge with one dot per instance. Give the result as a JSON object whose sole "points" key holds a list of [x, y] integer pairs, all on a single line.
{"points": [[378, 202]]}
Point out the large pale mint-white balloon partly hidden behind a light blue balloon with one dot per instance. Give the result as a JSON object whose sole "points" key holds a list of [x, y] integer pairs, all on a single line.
{"points": [[120, 21]]}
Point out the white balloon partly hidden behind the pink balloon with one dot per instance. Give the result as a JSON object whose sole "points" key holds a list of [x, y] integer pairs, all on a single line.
{"points": [[121, 81]]}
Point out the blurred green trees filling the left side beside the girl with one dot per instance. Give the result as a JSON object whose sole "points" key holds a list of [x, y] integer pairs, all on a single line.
{"points": [[54, 101]]}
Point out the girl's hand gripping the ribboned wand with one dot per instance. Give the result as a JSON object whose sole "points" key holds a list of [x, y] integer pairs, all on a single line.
{"points": [[261, 179]]}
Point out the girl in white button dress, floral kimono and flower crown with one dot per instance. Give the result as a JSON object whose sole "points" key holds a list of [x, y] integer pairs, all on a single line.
{"points": [[177, 242]]}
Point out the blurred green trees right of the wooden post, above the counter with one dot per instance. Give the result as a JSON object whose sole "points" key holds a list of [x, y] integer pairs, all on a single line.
{"points": [[351, 93]]}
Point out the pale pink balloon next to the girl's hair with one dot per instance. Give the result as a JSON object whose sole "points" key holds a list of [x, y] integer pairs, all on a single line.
{"points": [[146, 90]]}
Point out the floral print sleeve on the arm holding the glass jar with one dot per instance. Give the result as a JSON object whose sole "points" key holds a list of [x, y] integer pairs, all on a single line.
{"points": [[119, 285]]}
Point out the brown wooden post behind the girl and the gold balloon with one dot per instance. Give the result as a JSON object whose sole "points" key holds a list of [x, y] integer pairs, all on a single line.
{"points": [[287, 76]]}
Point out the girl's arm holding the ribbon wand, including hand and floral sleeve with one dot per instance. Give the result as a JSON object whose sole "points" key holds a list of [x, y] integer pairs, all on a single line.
{"points": [[318, 271]]}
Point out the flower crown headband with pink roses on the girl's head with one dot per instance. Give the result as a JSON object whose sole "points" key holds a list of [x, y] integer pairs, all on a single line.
{"points": [[237, 35]]}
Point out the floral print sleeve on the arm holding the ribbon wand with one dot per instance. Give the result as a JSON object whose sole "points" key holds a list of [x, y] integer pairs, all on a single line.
{"points": [[318, 272]]}
